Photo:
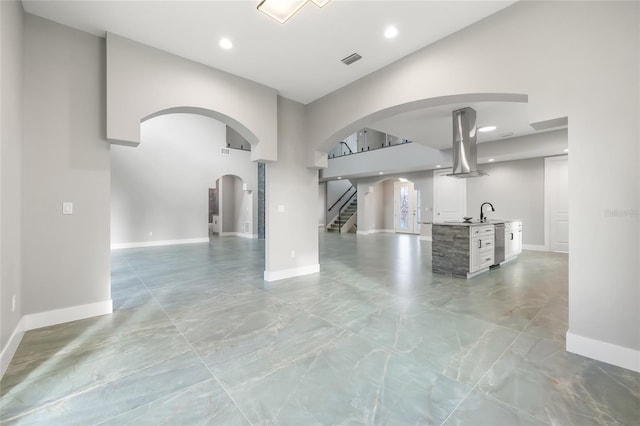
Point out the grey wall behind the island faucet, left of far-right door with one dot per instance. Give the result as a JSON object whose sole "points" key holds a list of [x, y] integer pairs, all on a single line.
{"points": [[516, 191]]}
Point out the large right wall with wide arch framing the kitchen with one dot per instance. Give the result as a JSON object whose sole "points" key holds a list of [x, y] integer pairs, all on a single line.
{"points": [[567, 70]]}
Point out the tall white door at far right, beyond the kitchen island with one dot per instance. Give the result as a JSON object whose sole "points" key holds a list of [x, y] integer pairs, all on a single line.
{"points": [[556, 186]]}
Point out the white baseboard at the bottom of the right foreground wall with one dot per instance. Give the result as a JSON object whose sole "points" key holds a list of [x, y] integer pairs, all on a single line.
{"points": [[602, 351]]}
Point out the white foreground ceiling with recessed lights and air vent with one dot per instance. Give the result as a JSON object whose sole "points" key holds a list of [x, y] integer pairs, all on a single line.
{"points": [[300, 59]]}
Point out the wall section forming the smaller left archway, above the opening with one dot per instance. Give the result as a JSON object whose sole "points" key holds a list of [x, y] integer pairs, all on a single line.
{"points": [[132, 96]]}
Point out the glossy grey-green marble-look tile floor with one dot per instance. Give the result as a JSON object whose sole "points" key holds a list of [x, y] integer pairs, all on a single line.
{"points": [[197, 337]]}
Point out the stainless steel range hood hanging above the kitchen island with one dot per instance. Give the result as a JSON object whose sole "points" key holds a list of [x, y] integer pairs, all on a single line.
{"points": [[465, 151]]}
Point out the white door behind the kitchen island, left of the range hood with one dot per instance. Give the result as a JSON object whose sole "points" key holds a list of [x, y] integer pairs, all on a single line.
{"points": [[449, 197]]}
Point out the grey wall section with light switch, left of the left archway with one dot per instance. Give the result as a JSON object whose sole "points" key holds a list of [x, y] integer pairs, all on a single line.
{"points": [[65, 159]]}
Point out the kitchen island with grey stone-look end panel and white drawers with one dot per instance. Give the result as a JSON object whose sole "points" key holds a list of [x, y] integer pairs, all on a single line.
{"points": [[466, 249]]}
